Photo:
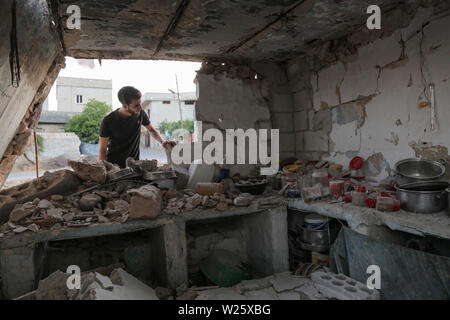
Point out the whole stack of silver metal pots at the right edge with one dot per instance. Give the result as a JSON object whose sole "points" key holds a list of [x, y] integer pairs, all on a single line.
{"points": [[420, 187]]}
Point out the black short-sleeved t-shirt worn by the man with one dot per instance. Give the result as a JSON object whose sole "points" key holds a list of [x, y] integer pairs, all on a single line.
{"points": [[124, 135]]}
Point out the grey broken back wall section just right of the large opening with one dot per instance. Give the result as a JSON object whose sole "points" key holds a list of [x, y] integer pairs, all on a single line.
{"points": [[241, 96]]}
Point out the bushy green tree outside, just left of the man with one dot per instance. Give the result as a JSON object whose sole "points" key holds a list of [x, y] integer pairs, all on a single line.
{"points": [[86, 125]]}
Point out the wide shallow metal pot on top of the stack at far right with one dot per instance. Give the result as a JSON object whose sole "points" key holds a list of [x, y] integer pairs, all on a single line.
{"points": [[417, 169]]}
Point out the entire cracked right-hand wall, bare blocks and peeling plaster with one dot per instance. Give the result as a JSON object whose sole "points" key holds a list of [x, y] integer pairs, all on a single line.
{"points": [[367, 101]]}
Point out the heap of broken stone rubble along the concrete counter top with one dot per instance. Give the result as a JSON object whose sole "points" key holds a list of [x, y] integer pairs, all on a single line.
{"points": [[120, 201]]}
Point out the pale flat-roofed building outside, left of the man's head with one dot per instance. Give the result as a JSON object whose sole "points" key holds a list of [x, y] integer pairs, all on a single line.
{"points": [[72, 94]]}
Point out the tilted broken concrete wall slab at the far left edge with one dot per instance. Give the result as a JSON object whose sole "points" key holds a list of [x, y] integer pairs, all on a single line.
{"points": [[40, 60]]}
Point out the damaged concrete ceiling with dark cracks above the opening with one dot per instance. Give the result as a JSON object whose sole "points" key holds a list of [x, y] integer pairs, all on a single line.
{"points": [[197, 29]]}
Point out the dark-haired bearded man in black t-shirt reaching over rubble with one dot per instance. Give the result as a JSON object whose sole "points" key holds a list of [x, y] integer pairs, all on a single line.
{"points": [[120, 131]]}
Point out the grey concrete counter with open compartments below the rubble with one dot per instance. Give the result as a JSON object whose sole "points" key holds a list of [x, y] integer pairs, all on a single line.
{"points": [[158, 247]]}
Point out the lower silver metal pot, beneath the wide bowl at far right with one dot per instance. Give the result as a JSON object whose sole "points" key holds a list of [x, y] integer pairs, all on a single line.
{"points": [[423, 197]]}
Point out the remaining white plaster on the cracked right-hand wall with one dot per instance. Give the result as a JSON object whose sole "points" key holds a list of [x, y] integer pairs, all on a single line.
{"points": [[395, 99]]}
